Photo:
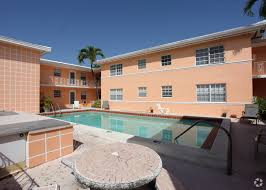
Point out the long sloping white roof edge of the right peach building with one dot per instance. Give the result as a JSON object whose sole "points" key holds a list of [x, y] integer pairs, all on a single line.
{"points": [[191, 41]]}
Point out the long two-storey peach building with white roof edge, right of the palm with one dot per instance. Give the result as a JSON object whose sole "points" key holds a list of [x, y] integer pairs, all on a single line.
{"points": [[206, 75]]}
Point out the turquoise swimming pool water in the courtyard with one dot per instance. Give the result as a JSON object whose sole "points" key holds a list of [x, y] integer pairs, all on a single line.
{"points": [[160, 129]]}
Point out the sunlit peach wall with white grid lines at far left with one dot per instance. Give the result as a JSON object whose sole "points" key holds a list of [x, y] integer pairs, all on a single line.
{"points": [[19, 78]]}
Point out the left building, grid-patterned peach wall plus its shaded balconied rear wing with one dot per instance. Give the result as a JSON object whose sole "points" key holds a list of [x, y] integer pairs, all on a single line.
{"points": [[25, 78]]}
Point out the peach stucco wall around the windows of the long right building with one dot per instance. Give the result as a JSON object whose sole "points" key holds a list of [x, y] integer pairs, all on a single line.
{"points": [[183, 75]]}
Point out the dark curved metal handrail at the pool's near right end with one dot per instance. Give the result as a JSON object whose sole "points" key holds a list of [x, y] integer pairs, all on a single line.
{"points": [[229, 148]]}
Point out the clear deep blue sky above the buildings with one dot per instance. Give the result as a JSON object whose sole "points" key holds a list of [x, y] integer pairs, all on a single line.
{"points": [[115, 26]]}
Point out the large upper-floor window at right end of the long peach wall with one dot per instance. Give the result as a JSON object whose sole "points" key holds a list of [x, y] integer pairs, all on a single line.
{"points": [[212, 55]]}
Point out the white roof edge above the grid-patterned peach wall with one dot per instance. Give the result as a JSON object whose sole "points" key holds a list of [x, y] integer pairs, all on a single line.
{"points": [[44, 49]]}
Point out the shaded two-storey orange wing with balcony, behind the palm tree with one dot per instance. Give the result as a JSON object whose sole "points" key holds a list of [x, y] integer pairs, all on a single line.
{"points": [[64, 83]]}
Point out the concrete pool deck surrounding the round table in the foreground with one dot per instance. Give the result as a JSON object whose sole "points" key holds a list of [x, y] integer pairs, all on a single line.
{"points": [[192, 176]]}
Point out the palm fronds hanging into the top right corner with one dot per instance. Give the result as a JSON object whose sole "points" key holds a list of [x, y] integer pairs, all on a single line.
{"points": [[250, 4]]}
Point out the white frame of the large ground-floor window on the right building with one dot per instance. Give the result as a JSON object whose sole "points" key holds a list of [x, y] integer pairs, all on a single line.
{"points": [[210, 91]]}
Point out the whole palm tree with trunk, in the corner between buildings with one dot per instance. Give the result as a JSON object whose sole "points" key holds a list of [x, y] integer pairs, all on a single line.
{"points": [[91, 53]]}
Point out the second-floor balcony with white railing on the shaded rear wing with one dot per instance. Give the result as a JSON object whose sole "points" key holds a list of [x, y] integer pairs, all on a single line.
{"points": [[67, 82]]}
